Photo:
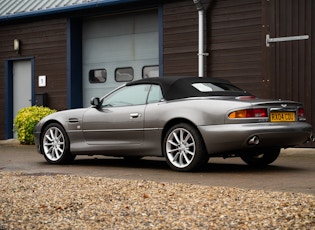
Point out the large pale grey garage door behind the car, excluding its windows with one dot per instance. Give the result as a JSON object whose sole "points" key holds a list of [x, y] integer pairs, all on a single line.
{"points": [[129, 40]]}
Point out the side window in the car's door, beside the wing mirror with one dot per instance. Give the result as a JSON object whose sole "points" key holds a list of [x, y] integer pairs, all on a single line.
{"points": [[128, 96]]}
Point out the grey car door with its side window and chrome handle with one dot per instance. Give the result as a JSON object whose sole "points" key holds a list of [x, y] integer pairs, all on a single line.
{"points": [[119, 120]]}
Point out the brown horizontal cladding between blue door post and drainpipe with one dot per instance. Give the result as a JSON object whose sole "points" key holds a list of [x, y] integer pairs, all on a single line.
{"points": [[180, 38]]}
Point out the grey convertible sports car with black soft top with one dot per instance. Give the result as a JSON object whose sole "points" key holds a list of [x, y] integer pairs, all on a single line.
{"points": [[187, 120]]}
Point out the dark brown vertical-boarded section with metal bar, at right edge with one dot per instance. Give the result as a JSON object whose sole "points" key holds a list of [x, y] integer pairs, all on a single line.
{"points": [[292, 63]]}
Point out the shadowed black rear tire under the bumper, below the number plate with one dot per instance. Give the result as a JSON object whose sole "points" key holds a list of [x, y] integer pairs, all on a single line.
{"points": [[261, 158]]}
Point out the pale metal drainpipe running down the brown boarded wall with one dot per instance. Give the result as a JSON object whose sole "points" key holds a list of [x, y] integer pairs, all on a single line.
{"points": [[201, 53]]}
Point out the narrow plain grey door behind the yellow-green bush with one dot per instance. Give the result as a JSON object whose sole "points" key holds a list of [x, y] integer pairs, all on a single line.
{"points": [[22, 85]]}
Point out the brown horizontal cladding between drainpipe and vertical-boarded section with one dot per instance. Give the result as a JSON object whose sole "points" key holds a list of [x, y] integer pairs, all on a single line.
{"points": [[234, 43]]}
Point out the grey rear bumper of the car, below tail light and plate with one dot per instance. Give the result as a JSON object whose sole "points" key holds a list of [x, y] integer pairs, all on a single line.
{"points": [[230, 137]]}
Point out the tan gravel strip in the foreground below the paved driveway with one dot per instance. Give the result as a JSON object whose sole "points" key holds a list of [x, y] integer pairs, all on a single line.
{"points": [[74, 202]]}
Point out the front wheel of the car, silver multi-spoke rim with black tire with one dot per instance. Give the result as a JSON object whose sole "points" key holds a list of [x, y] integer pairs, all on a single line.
{"points": [[55, 145]]}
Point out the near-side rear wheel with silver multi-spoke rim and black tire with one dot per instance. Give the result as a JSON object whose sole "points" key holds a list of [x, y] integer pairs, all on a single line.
{"points": [[184, 149]]}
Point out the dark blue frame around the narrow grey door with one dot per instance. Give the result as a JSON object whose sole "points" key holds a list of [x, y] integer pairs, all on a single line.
{"points": [[8, 92]]}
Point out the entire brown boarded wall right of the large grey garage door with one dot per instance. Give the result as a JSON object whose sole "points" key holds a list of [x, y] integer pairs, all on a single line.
{"points": [[235, 40]]}
